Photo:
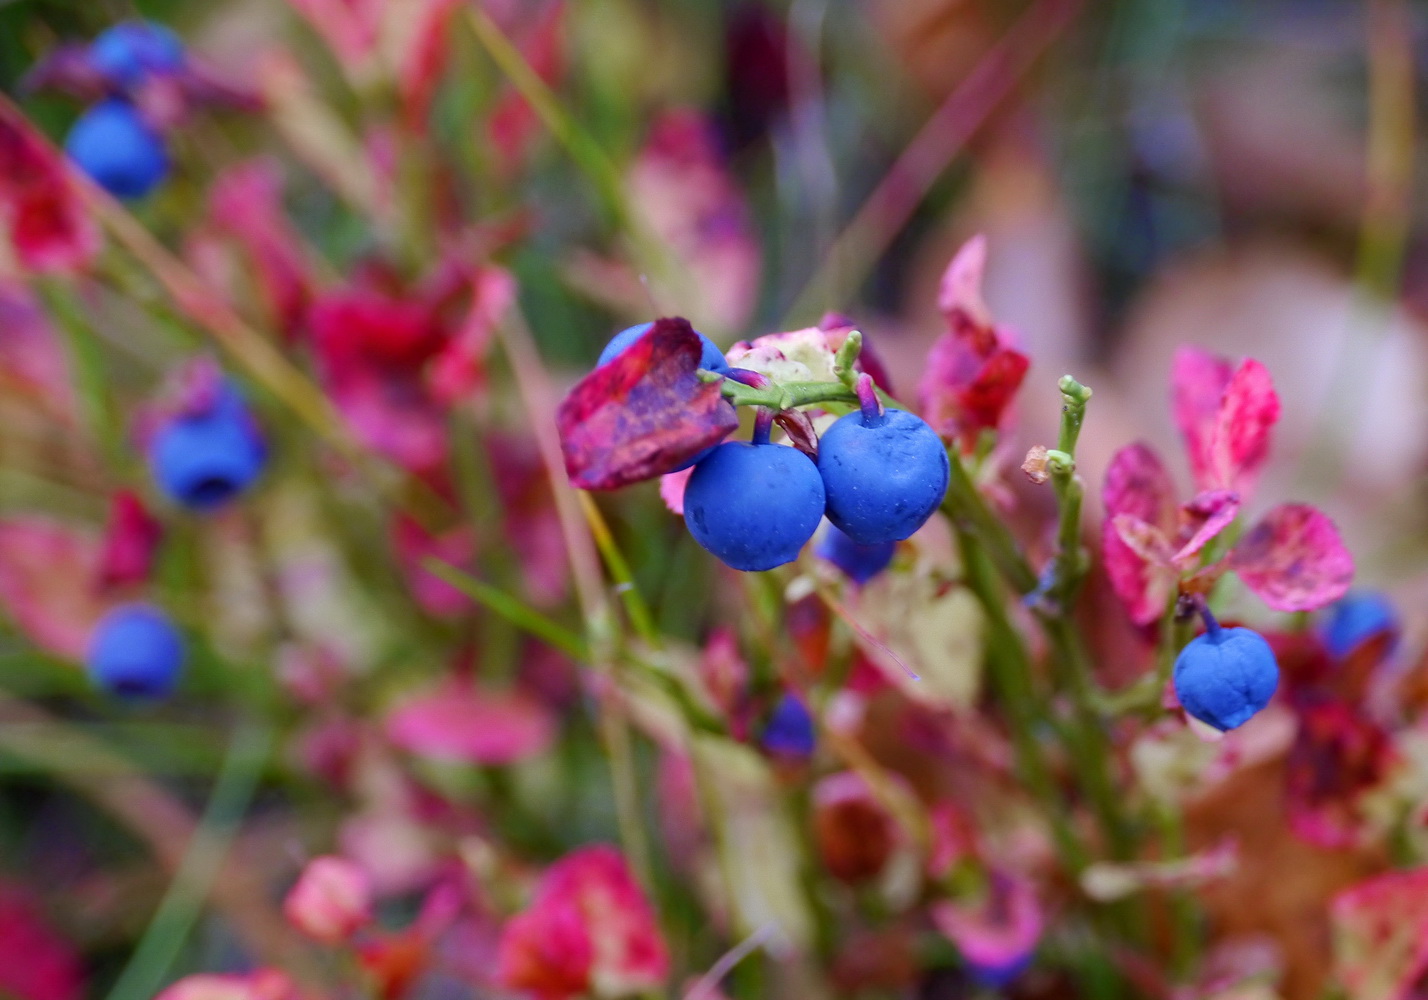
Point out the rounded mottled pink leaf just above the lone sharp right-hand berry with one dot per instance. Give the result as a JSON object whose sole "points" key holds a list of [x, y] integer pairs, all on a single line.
{"points": [[1294, 559]]}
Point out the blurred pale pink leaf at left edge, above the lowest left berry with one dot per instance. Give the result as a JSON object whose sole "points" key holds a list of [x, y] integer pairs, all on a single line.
{"points": [[48, 584]]}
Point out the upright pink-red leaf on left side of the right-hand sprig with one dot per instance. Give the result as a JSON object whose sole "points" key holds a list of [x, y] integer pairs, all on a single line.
{"points": [[1137, 486]]}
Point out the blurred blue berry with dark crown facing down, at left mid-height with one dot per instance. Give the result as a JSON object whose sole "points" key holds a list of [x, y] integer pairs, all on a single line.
{"points": [[203, 461]]}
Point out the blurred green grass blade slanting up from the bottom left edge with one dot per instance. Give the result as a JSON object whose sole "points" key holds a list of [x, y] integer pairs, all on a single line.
{"points": [[183, 904]]}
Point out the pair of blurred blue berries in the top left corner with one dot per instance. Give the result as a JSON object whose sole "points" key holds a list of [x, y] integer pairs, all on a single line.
{"points": [[112, 142]]}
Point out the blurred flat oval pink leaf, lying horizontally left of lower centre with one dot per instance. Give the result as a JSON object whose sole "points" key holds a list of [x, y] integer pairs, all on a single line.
{"points": [[465, 724]]}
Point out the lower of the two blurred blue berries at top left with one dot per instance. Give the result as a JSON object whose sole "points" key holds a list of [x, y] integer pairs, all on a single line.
{"points": [[118, 149]]}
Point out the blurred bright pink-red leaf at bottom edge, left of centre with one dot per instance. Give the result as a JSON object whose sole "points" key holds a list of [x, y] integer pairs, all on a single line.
{"points": [[589, 931]]}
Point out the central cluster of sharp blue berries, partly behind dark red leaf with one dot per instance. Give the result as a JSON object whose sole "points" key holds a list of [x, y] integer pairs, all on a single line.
{"points": [[755, 505]]}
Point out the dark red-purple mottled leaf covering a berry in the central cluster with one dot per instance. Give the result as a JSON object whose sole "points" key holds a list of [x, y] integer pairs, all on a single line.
{"points": [[643, 414]]}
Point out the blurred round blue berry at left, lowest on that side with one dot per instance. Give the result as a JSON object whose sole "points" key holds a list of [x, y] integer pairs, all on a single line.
{"points": [[136, 655]]}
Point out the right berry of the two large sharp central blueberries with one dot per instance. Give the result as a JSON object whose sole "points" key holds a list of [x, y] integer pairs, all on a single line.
{"points": [[885, 475]]}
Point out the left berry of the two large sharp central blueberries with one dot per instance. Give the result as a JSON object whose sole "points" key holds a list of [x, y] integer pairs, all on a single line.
{"points": [[755, 506]]}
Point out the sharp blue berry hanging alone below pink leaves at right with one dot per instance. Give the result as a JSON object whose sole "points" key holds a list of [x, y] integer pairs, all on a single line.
{"points": [[1225, 676]]}
